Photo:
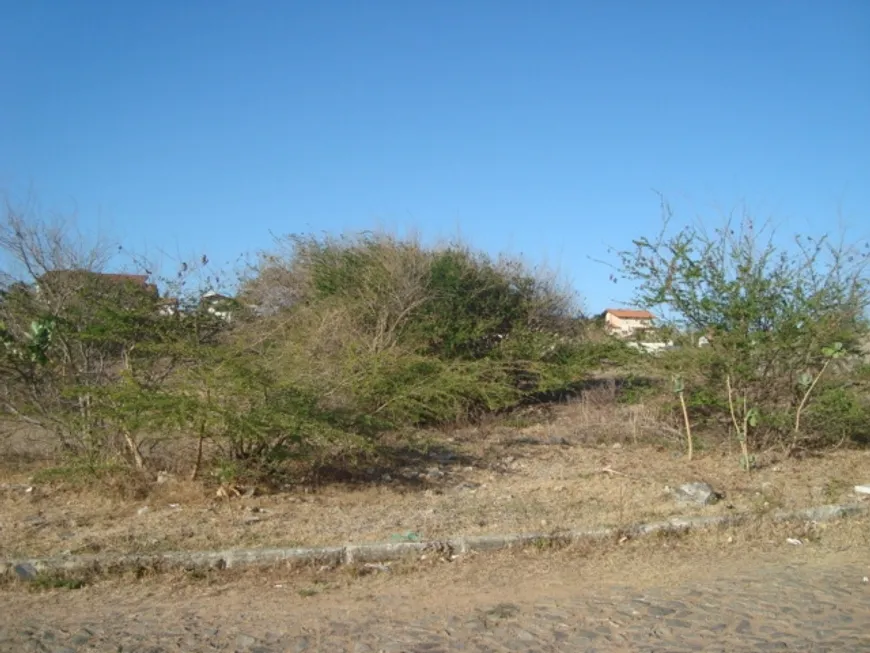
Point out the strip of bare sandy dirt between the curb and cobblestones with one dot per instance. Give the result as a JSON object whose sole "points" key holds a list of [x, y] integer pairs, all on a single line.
{"points": [[407, 588]]}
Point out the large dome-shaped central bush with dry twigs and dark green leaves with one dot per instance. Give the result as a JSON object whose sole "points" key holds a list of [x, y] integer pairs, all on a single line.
{"points": [[396, 334]]}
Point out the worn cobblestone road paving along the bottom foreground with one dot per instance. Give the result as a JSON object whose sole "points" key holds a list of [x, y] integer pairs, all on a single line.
{"points": [[771, 607]]}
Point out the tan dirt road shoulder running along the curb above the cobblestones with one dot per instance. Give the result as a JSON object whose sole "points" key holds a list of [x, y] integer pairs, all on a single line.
{"points": [[659, 561]]}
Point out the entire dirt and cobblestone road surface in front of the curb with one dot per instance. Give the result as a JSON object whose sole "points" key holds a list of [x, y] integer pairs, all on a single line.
{"points": [[743, 589]]}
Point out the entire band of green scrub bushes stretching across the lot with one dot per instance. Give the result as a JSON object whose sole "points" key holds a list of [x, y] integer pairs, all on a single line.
{"points": [[339, 349]]}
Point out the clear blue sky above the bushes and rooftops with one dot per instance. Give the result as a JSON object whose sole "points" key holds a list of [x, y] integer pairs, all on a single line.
{"points": [[530, 127]]}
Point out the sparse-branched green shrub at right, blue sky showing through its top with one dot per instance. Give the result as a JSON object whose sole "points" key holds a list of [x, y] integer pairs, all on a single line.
{"points": [[778, 319]]}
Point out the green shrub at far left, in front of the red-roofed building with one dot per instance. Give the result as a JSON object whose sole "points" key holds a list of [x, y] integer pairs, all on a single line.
{"points": [[91, 358]]}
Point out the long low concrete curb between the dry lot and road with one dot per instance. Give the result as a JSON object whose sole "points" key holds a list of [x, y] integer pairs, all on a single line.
{"points": [[385, 552]]}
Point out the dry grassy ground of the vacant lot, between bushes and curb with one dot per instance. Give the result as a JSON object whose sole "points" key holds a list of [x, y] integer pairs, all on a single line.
{"points": [[544, 477]]}
